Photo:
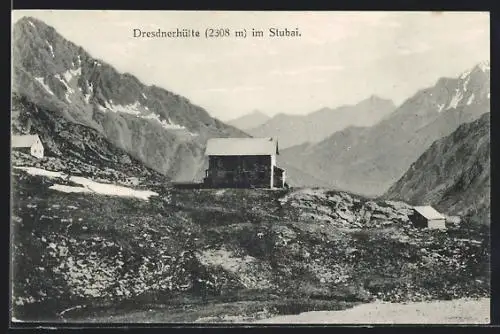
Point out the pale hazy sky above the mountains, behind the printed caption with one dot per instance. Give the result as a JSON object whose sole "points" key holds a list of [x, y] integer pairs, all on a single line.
{"points": [[341, 57]]}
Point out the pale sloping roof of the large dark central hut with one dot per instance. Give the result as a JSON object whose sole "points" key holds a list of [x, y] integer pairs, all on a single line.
{"points": [[242, 146]]}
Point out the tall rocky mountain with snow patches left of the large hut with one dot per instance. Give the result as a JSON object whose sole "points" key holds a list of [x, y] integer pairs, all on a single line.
{"points": [[163, 130]]}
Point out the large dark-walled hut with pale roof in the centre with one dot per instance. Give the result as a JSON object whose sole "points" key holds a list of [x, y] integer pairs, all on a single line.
{"points": [[243, 163]]}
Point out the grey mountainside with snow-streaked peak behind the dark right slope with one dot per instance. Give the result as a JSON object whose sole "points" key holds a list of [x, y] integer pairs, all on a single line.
{"points": [[368, 160]]}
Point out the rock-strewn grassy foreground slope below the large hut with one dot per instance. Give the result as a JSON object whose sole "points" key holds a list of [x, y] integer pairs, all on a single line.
{"points": [[266, 251]]}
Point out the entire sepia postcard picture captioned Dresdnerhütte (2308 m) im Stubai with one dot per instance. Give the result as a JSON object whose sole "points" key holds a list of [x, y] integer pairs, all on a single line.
{"points": [[259, 167]]}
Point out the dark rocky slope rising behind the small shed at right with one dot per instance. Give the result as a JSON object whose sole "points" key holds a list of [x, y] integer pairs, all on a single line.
{"points": [[453, 174]]}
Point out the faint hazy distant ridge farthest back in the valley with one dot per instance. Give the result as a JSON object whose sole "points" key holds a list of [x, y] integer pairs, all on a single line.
{"points": [[294, 129]]}
